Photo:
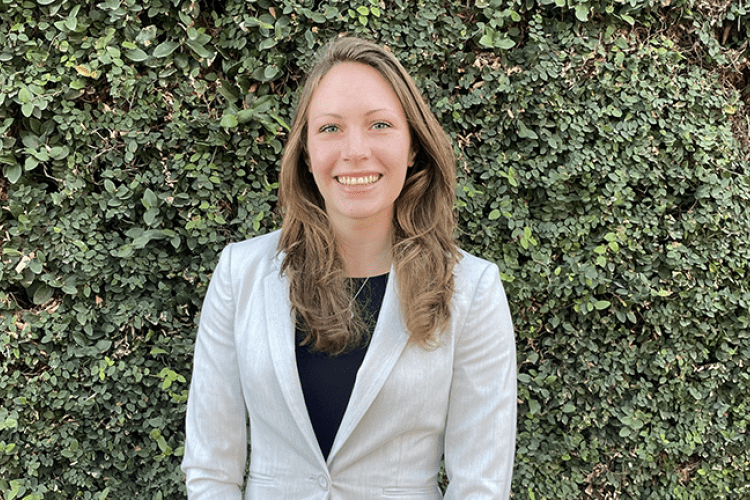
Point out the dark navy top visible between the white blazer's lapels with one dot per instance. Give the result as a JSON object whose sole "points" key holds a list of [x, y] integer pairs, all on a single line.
{"points": [[327, 381]]}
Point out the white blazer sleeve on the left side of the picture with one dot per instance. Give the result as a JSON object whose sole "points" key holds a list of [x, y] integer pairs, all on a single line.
{"points": [[215, 427]]}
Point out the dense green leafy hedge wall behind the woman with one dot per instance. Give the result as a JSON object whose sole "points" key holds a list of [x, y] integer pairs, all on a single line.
{"points": [[602, 164]]}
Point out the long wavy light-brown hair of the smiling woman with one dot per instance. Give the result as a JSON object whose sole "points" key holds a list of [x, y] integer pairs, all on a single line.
{"points": [[423, 250]]}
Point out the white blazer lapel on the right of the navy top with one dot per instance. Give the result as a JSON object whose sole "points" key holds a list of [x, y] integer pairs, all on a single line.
{"points": [[388, 341]]}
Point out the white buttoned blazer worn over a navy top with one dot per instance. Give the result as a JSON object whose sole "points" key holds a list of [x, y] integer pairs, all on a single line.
{"points": [[407, 408]]}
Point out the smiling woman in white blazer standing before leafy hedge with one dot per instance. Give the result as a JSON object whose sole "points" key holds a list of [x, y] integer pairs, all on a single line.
{"points": [[358, 344]]}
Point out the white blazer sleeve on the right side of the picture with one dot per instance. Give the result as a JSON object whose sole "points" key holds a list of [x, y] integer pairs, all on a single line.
{"points": [[480, 430]]}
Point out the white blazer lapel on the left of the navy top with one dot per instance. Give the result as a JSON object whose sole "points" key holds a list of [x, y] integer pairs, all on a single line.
{"points": [[281, 332]]}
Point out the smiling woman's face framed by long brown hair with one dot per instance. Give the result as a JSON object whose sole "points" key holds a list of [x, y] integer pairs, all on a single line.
{"points": [[358, 143]]}
